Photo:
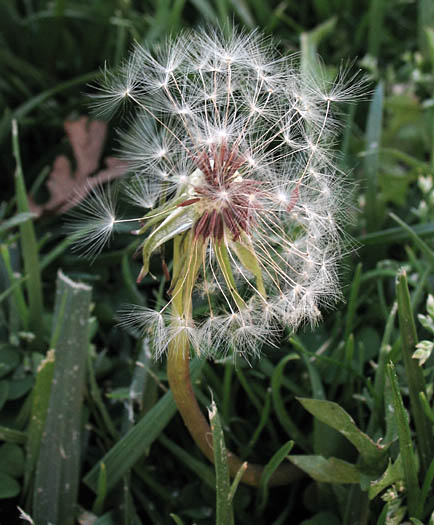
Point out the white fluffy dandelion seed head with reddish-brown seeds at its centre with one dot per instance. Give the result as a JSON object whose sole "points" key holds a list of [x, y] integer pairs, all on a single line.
{"points": [[241, 141]]}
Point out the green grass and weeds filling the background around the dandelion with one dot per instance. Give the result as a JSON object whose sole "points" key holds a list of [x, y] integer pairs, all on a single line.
{"points": [[374, 468]]}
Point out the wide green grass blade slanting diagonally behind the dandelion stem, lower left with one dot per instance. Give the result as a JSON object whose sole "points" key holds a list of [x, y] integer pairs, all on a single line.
{"points": [[126, 452]]}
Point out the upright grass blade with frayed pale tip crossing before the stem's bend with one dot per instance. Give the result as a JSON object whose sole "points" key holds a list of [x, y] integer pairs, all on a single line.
{"points": [[224, 513]]}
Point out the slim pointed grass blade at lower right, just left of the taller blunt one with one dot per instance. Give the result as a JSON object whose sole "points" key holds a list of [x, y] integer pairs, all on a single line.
{"points": [[405, 444]]}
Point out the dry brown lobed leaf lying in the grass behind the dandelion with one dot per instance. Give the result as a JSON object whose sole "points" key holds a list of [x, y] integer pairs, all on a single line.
{"points": [[68, 188]]}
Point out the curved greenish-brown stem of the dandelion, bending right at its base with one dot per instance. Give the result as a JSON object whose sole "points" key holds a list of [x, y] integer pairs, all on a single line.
{"points": [[178, 374]]}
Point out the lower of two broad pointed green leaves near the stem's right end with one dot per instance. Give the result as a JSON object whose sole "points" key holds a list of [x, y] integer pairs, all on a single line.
{"points": [[331, 470]]}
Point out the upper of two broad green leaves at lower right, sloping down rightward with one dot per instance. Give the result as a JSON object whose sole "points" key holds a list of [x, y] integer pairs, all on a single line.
{"points": [[336, 417]]}
